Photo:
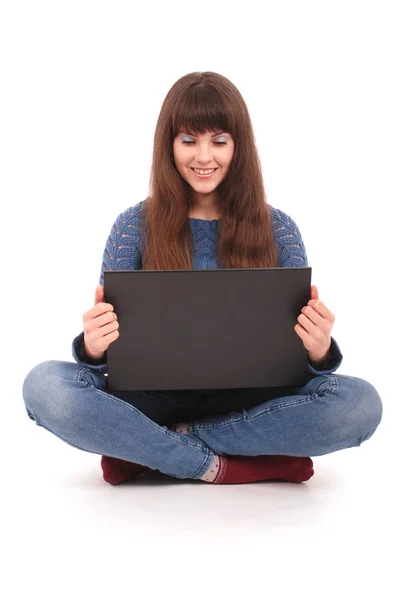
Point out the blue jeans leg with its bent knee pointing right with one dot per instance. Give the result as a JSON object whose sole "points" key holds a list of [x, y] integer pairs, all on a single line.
{"points": [[329, 413]]}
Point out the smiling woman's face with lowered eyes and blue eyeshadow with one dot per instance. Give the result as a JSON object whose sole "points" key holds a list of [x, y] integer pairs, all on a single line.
{"points": [[206, 152]]}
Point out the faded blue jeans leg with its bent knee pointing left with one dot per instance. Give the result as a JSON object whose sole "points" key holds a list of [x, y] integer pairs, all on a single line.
{"points": [[72, 402]]}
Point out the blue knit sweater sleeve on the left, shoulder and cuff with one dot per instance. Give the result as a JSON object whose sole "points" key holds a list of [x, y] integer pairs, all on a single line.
{"points": [[122, 252]]}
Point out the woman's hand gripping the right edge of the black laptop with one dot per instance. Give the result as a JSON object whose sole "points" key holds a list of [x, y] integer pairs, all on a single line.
{"points": [[314, 327]]}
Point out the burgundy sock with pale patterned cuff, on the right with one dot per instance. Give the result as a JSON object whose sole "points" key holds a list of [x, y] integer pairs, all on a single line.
{"points": [[248, 469]]}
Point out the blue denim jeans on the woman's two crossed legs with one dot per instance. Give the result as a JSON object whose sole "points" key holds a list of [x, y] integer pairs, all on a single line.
{"points": [[329, 413]]}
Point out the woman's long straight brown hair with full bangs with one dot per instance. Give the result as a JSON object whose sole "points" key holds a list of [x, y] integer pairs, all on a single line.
{"points": [[200, 102]]}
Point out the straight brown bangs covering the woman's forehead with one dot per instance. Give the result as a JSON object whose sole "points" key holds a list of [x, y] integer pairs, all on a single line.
{"points": [[200, 109]]}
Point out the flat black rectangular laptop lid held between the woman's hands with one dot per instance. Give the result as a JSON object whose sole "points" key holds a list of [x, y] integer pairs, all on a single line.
{"points": [[207, 328]]}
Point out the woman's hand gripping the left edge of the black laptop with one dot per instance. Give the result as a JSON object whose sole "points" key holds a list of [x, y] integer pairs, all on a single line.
{"points": [[100, 326]]}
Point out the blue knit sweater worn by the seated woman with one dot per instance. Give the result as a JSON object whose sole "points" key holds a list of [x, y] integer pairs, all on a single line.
{"points": [[123, 252]]}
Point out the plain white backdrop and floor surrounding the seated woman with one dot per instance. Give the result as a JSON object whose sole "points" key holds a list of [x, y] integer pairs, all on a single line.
{"points": [[82, 84]]}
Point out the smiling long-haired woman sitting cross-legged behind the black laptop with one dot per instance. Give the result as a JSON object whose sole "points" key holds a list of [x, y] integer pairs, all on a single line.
{"points": [[206, 210]]}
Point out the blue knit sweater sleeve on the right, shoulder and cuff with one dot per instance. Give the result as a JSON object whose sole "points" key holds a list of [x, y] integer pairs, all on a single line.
{"points": [[291, 252]]}
